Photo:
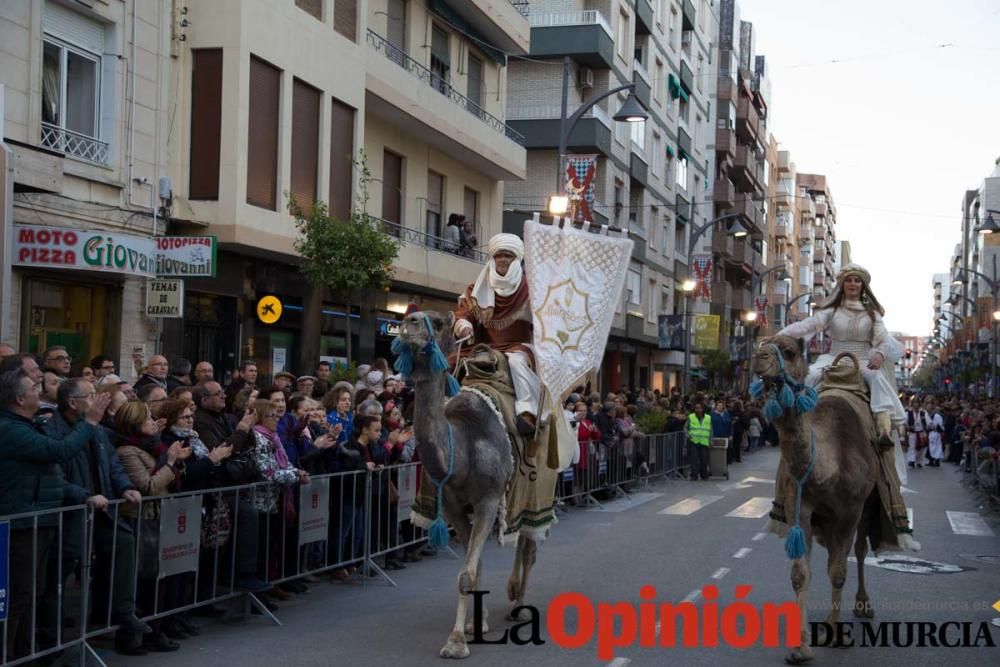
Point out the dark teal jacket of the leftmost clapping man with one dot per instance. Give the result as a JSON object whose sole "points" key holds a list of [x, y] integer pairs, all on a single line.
{"points": [[30, 477]]}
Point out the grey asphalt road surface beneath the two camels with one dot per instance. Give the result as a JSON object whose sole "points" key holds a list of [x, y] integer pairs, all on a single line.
{"points": [[674, 535]]}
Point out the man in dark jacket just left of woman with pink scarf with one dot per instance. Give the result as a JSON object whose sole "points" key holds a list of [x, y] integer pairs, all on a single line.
{"points": [[215, 427]]}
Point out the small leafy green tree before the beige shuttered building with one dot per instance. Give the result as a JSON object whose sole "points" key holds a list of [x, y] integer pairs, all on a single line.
{"points": [[342, 255]]}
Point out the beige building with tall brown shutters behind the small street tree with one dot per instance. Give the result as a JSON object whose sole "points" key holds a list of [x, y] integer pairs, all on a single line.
{"points": [[412, 91]]}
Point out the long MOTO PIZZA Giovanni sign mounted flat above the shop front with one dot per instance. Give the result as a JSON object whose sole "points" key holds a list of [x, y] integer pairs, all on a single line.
{"points": [[90, 250]]}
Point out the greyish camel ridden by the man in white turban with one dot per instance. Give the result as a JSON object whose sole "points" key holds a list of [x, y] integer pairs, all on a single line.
{"points": [[481, 467]]}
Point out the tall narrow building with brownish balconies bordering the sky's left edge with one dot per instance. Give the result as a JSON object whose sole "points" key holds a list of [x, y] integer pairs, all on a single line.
{"points": [[741, 176]]}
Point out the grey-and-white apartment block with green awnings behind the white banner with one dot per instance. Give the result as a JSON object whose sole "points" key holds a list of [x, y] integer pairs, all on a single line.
{"points": [[651, 177]]}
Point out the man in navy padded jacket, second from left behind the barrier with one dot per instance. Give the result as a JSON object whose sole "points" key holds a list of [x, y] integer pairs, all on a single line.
{"points": [[95, 475]]}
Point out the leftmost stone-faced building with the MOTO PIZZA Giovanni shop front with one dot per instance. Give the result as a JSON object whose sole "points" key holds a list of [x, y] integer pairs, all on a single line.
{"points": [[85, 129]]}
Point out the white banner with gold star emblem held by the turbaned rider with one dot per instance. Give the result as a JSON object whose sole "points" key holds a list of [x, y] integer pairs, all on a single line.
{"points": [[575, 278]]}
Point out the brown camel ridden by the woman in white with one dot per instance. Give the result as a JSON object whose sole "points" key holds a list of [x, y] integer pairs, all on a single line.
{"points": [[839, 497]]}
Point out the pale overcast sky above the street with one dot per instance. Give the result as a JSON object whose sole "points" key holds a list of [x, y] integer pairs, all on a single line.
{"points": [[865, 93]]}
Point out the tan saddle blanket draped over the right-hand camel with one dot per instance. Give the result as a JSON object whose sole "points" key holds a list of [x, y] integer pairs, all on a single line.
{"points": [[884, 535]]}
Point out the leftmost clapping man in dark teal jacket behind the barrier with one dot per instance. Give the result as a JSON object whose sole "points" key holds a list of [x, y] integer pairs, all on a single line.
{"points": [[31, 481]]}
